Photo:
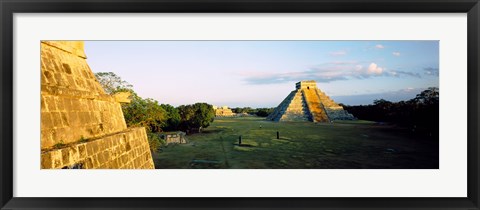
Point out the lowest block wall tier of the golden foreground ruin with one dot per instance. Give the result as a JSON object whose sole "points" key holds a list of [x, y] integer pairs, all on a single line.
{"points": [[124, 150]]}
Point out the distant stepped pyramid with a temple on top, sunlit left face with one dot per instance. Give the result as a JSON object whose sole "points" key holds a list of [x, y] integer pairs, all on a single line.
{"points": [[308, 103]]}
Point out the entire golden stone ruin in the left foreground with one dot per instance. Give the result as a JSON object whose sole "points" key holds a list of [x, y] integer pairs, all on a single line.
{"points": [[82, 126]]}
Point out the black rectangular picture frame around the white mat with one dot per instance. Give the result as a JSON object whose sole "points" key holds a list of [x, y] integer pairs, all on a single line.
{"points": [[10, 7]]}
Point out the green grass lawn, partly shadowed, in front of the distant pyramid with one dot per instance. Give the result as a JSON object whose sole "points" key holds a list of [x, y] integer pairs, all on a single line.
{"points": [[302, 145]]}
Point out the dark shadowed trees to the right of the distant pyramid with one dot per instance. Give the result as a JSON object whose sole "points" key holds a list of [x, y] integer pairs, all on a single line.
{"points": [[420, 114]]}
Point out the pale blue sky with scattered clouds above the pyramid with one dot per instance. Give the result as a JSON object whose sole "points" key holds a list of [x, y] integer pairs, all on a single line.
{"points": [[262, 73]]}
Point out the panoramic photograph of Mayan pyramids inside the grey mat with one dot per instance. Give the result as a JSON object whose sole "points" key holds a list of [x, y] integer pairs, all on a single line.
{"points": [[300, 104]]}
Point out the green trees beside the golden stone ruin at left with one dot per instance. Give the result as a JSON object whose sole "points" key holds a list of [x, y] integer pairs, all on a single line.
{"points": [[156, 117]]}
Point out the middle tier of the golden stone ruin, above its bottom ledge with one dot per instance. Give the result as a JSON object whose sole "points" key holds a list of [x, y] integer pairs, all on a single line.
{"points": [[67, 120]]}
